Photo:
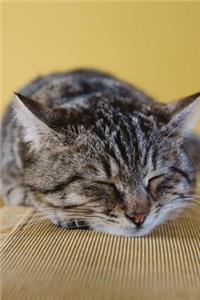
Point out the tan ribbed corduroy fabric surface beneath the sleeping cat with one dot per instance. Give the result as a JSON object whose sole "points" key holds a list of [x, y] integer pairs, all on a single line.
{"points": [[41, 261]]}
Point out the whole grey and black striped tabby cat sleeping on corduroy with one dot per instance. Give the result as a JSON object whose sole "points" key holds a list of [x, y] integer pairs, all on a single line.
{"points": [[91, 151]]}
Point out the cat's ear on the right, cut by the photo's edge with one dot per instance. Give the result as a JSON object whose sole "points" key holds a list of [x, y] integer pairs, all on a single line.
{"points": [[184, 114]]}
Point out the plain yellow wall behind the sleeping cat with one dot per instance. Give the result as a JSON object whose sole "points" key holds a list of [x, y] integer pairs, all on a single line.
{"points": [[153, 45]]}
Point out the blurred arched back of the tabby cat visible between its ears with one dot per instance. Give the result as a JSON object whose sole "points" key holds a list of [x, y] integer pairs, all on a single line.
{"points": [[62, 88]]}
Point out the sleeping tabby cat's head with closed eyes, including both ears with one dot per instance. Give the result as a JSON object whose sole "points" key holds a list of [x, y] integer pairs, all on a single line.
{"points": [[108, 167]]}
